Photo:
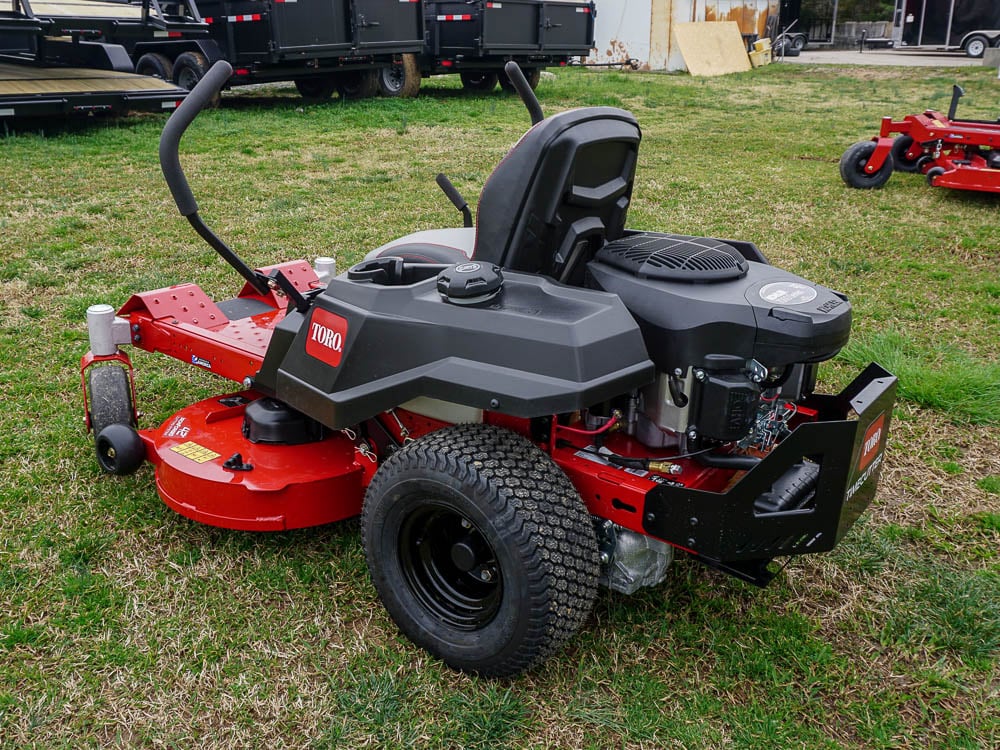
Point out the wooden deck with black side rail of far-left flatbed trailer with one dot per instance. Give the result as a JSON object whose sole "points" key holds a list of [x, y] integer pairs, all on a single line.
{"points": [[33, 91]]}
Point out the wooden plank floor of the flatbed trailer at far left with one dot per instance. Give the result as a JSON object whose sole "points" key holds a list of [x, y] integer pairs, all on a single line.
{"points": [[27, 80]]}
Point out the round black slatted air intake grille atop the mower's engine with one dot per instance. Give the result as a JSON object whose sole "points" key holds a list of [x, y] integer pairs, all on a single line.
{"points": [[674, 257]]}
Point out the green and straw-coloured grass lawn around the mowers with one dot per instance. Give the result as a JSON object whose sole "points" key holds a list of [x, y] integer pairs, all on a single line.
{"points": [[124, 624]]}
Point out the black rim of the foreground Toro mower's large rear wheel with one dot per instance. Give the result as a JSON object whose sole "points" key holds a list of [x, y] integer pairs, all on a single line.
{"points": [[450, 567]]}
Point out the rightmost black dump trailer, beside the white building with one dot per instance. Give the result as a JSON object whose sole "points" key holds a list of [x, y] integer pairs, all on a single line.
{"points": [[476, 38]]}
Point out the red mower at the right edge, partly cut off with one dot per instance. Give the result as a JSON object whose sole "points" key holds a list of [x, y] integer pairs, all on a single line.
{"points": [[960, 154]]}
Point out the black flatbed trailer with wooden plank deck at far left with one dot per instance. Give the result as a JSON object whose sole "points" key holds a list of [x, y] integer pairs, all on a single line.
{"points": [[42, 76]]}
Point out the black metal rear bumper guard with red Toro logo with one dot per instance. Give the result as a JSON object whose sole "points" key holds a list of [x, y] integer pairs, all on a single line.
{"points": [[847, 442]]}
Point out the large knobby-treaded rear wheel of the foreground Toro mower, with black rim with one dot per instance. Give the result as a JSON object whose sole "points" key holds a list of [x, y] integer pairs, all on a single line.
{"points": [[480, 549]]}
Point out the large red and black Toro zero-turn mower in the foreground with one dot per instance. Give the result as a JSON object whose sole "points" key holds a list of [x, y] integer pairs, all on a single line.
{"points": [[520, 410]]}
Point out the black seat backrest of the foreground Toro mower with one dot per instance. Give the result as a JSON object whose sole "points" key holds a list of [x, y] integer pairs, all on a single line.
{"points": [[560, 193]]}
